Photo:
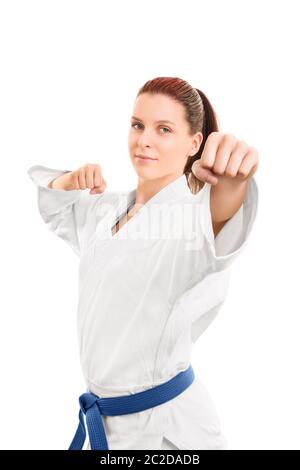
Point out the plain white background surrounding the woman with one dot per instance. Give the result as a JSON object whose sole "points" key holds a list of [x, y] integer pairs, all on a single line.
{"points": [[70, 71]]}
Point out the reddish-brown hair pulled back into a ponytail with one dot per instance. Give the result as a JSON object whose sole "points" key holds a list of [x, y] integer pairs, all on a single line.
{"points": [[199, 114]]}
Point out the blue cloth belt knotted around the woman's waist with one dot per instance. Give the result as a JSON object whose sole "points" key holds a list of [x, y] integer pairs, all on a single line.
{"points": [[93, 407]]}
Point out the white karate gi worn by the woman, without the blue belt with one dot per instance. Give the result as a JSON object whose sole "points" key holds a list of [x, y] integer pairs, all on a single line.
{"points": [[144, 301]]}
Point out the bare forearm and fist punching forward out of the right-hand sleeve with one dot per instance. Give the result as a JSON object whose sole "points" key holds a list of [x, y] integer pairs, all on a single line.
{"points": [[227, 164]]}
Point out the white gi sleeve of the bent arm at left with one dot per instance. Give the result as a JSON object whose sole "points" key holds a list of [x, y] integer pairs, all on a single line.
{"points": [[64, 211]]}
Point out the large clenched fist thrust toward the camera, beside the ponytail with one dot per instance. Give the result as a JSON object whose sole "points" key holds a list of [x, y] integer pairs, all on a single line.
{"points": [[225, 157]]}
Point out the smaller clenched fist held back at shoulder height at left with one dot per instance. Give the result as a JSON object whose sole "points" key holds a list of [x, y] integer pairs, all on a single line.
{"points": [[87, 176]]}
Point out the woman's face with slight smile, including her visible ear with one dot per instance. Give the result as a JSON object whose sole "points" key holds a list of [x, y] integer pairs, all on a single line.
{"points": [[159, 130]]}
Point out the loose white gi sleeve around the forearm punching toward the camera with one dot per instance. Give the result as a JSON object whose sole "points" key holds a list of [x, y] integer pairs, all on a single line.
{"points": [[234, 236]]}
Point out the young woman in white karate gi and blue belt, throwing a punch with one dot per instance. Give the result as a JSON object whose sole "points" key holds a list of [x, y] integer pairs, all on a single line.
{"points": [[154, 268]]}
